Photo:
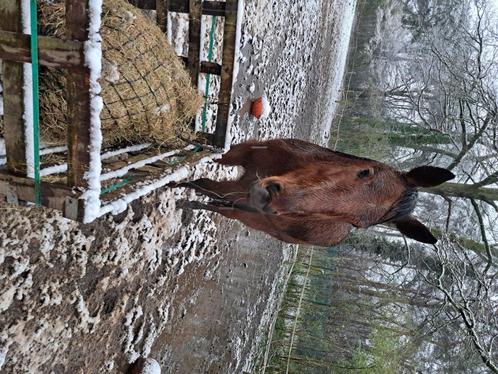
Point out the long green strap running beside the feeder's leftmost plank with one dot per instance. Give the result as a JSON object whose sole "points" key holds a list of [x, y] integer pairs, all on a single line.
{"points": [[36, 107]]}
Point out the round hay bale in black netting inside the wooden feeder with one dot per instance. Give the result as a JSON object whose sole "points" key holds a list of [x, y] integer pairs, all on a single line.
{"points": [[148, 95]]}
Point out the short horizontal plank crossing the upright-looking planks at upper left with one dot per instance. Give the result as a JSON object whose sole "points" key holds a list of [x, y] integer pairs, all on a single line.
{"points": [[53, 52]]}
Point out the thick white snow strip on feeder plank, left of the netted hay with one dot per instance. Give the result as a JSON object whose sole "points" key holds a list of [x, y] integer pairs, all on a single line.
{"points": [[93, 59]]}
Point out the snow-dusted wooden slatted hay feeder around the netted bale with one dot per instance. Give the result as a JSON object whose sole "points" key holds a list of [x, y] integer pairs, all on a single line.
{"points": [[83, 178]]}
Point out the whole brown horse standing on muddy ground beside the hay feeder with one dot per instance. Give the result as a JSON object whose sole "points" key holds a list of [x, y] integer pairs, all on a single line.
{"points": [[299, 192]]}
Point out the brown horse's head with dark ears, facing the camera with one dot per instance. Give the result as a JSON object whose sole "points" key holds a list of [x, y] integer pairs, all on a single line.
{"points": [[359, 191]]}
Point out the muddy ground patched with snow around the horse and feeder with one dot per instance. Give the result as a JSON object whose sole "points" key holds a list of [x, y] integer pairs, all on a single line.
{"points": [[190, 289]]}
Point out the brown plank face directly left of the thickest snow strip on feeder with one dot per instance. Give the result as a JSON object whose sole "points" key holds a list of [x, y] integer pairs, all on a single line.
{"points": [[78, 87]]}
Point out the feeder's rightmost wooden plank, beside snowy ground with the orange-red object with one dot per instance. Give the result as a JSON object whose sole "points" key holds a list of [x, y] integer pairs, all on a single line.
{"points": [[228, 57]]}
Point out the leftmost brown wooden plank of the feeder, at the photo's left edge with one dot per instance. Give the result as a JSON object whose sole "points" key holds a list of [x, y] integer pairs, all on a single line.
{"points": [[13, 96]]}
